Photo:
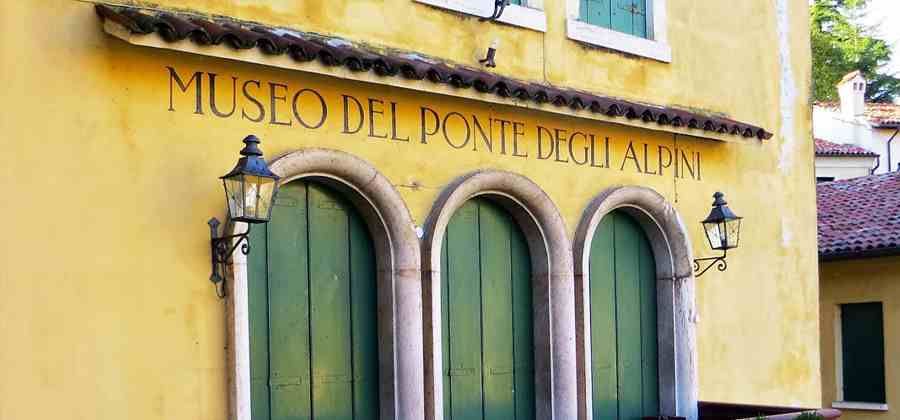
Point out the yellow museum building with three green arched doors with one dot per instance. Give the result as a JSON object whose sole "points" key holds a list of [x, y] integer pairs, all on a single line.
{"points": [[477, 218]]}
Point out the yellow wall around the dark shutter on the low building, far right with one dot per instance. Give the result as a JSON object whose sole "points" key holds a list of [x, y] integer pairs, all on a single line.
{"points": [[858, 281]]}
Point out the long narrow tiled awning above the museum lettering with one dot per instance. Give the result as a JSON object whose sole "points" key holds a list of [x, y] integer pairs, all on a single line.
{"points": [[330, 51]]}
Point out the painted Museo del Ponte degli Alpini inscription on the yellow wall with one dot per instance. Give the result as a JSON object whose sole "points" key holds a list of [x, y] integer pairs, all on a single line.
{"points": [[379, 119]]}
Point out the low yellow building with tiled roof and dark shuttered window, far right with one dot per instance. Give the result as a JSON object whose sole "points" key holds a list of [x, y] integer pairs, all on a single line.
{"points": [[859, 254]]}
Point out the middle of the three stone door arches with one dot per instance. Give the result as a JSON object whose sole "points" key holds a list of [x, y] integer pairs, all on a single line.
{"points": [[554, 319]]}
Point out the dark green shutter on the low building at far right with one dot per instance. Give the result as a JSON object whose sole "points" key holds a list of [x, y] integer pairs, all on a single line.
{"points": [[862, 345]]}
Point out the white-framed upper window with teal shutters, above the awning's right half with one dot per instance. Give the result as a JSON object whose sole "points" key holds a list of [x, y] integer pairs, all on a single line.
{"points": [[636, 27]]}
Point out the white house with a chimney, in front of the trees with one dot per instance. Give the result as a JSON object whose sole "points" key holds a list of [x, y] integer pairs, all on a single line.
{"points": [[852, 120]]}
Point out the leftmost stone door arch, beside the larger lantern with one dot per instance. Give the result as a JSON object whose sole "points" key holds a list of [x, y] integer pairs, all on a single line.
{"points": [[399, 289]]}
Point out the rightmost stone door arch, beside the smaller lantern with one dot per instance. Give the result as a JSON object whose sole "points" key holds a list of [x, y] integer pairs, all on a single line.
{"points": [[660, 221]]}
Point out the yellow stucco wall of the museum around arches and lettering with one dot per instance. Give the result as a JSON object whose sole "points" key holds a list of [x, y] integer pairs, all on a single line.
{"points": [[106, 311]]}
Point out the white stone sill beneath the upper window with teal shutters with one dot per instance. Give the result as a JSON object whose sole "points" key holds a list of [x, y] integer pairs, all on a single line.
{"points": [[614, 40]]}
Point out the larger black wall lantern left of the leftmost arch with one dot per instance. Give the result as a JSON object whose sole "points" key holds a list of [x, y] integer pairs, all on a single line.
{"points": [[250, 190]]}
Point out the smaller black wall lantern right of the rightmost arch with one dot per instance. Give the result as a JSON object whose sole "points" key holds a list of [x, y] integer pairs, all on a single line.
{"points": [[723, 231]]}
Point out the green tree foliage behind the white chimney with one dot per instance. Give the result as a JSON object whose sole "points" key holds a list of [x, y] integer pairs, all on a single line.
{"points": [[842, 44]]}
